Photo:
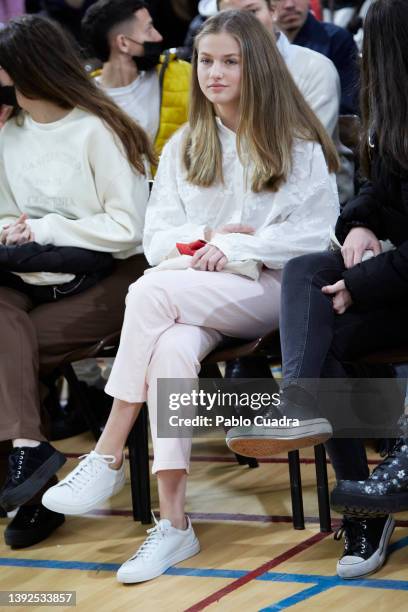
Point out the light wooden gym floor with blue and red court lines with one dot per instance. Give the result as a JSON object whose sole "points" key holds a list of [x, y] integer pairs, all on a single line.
{"points": [[252, 559]]}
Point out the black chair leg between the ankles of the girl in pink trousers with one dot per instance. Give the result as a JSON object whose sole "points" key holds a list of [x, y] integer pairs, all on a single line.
{"points": [[138, 446]]}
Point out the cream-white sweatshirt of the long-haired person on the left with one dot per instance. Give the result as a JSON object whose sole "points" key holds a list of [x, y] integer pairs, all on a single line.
{"points": [[74, 182]]}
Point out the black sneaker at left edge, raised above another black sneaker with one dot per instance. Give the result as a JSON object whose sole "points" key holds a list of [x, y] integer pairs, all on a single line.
{"points": [[28, 471]]}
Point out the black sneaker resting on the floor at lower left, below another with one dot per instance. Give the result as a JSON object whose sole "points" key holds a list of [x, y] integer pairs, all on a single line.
{"points": [[31, 525]]}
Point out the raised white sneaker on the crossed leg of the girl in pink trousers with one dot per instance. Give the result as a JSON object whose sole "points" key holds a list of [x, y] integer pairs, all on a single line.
{"points": [[88, 485]]}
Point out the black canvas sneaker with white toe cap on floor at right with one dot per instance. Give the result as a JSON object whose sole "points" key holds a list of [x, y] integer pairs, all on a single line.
{"points": [[365, 545]]}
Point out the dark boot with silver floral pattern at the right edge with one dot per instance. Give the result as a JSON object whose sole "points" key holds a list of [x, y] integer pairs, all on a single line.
{"points": [[384, 492]]}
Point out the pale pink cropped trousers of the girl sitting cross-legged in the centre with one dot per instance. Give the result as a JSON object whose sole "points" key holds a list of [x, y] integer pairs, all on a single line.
{"points": [[173, 319]]}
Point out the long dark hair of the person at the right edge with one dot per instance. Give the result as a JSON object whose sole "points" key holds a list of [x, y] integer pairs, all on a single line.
{"points": [[384, 87]]}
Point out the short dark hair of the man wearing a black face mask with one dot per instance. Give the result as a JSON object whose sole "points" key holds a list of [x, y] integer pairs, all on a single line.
{"points": [[99, 20]]}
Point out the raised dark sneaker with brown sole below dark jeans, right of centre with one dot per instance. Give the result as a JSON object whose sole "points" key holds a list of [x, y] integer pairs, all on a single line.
{"points": [[275, 431]]}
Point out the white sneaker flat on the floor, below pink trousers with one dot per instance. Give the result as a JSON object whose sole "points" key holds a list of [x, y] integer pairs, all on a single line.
{"points": [[165, 546]]}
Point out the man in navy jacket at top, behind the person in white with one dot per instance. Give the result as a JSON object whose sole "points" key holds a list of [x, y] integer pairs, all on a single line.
{"points": [[297, 22]]}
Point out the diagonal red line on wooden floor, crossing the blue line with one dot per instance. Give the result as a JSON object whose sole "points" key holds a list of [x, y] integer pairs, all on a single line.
{"points": [[262, 569]]}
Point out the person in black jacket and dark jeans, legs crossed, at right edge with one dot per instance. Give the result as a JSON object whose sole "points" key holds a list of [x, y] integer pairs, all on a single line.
{"points": [[339, 305]]}
